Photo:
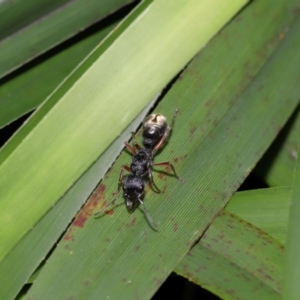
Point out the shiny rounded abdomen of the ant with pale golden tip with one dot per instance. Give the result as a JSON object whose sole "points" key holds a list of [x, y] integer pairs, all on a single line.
{"points": [[154, 126]]}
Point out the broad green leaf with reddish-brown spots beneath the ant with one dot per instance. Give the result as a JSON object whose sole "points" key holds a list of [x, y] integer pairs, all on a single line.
{"points": [[217, 139]]}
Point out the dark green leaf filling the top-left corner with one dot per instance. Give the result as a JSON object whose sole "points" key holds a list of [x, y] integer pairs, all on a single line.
{"points": [[28, 30]]}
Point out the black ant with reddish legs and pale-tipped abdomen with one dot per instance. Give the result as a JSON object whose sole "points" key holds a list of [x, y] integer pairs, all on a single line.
{"points": [[155, 133]]}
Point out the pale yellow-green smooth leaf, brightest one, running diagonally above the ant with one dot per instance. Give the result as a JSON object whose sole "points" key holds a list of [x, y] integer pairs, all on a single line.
{"points": [[87, 112]]}
